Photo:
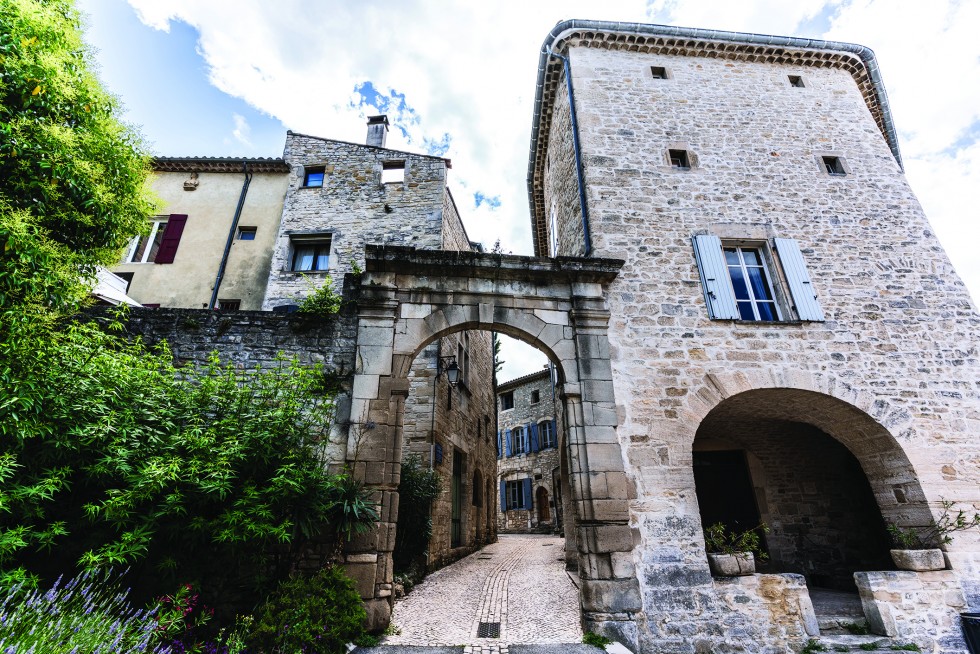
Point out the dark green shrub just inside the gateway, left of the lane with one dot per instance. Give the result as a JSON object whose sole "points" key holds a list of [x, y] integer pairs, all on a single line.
{"points": [[418, 487]]}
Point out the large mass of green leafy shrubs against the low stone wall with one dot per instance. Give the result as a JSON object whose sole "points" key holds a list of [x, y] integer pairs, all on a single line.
{"points": [[196, 474]]}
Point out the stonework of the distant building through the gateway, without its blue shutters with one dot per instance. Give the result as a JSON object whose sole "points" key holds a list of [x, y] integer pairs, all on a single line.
{"points": [[542, 467]]}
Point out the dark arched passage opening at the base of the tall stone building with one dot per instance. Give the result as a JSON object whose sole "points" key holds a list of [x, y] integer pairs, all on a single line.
{"points": [[820, 472]]}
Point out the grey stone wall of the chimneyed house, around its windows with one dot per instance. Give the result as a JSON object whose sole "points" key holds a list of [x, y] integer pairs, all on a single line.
{"points": [[353, 208]]}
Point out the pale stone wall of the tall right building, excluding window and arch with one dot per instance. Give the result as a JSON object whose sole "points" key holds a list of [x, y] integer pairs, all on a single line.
{"points": [[892, 372]]}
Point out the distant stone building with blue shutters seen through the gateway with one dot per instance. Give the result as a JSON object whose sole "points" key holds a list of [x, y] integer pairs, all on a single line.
{"points": [[528, 461]]}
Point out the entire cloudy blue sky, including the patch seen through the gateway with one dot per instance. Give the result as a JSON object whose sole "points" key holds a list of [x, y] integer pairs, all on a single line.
{"points": [[228, 77]]}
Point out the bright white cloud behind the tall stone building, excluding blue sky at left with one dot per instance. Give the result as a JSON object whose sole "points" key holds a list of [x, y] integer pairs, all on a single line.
{"points": [[468, 70]]}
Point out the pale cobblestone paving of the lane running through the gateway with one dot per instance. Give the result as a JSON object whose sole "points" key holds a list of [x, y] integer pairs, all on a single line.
{"points": [[519, 581]]}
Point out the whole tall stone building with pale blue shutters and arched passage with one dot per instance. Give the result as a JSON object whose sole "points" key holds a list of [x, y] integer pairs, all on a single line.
{"points": [[788, 341]]}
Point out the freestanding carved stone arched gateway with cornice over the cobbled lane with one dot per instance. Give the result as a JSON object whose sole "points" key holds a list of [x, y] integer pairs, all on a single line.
{"points": [[410, 297]]}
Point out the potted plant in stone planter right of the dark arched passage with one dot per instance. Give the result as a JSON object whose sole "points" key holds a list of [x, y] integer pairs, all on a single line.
{"points": [[918, 548]]}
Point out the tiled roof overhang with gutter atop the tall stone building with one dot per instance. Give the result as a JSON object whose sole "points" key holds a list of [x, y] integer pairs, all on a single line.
{"points": [[858, 60]]}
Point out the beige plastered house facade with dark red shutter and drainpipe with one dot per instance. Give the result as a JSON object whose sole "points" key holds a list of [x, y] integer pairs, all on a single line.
{"points": [[220, 222]]}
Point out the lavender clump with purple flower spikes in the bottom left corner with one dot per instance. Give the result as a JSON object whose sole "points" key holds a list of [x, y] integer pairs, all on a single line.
{"points": [[87, 614]]}
